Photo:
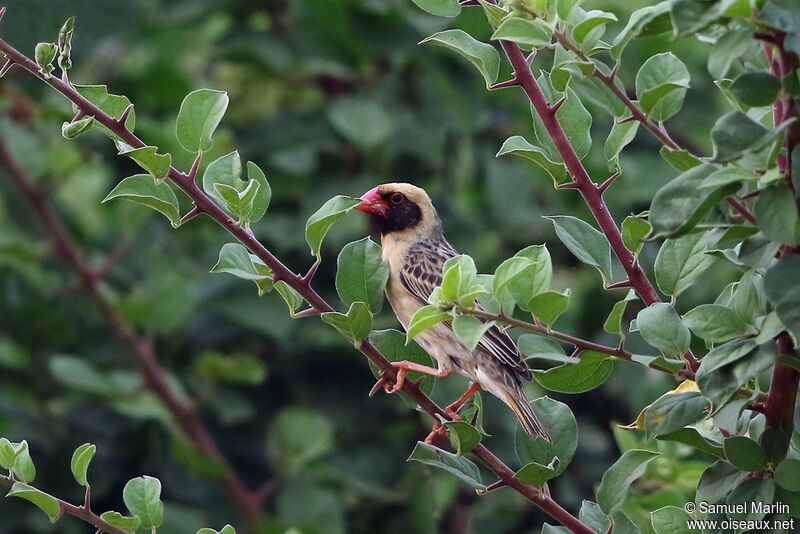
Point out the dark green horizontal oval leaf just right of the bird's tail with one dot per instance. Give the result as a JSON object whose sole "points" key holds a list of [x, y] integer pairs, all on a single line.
{"points": [[593, 369]]}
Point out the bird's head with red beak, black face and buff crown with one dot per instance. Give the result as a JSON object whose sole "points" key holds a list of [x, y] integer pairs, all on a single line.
{"points": [[400, 207]]}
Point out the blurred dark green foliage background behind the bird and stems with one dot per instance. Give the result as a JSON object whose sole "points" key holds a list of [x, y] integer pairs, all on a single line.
{"points": [[290, 67]]}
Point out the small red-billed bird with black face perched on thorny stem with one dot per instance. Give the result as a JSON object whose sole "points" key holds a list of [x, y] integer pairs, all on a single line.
{"points": [[415, 248]]}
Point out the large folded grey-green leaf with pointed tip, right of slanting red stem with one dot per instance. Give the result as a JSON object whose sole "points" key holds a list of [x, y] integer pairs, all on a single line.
{"points": [[681, 204]]}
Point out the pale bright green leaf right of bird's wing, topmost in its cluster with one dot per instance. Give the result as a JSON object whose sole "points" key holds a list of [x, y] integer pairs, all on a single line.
{"points": [[528, 273]]}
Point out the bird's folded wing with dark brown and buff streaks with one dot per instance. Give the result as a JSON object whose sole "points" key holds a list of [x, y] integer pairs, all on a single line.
{"points": [[422, 273]]}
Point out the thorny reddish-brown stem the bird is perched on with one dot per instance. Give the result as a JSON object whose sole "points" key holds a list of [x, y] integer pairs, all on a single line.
{"points": [[206, 204]]}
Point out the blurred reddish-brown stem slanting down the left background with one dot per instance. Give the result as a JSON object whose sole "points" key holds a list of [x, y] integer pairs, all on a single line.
{"points": [[141, 348]]}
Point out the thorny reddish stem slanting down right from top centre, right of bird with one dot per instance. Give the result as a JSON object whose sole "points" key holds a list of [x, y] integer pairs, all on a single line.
{"points": [[592, 194]]}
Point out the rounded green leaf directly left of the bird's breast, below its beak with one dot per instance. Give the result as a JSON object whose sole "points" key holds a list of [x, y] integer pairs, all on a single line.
{"points": [[361, 274]]}
